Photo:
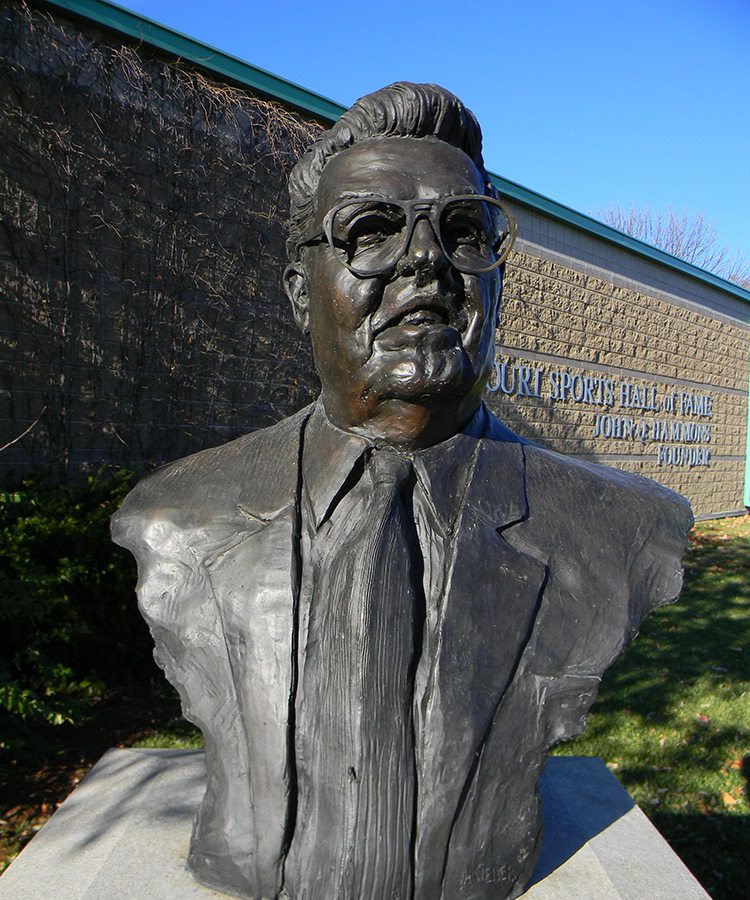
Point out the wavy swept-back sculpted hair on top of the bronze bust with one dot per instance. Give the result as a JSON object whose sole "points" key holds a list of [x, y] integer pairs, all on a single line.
{"points": [[402, 109]]}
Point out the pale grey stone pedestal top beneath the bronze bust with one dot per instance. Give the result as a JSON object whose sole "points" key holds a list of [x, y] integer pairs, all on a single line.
{"points": [[123, 834]]}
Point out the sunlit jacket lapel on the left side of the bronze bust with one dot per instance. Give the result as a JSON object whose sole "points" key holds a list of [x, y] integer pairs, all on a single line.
{"points": [[255, 582]]}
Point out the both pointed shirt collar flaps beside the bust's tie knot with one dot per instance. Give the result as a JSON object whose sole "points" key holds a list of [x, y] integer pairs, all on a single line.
{"points": [[330, 455]]}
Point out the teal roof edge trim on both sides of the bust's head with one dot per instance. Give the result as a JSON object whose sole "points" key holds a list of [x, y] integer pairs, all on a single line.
{"points": [[123, 21]]}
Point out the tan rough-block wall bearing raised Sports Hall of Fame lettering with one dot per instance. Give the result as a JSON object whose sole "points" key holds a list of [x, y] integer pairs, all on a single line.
{"points": [[624, 376]]}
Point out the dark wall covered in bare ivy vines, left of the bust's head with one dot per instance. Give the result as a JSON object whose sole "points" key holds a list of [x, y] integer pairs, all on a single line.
{"points": [[141, 252]]}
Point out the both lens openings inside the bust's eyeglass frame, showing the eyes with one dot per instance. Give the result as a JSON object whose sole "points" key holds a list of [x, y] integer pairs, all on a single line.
{"points": [[371, 235]]}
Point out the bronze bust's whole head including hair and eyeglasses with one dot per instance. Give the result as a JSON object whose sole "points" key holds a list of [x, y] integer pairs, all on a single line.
{"points": [[396, 250]]}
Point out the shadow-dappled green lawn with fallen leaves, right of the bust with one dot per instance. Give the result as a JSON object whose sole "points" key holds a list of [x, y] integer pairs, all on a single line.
{"points": [[673, 716]]}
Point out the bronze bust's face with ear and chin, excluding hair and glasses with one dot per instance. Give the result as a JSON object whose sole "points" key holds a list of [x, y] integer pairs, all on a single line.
{"points": [[403, 355]]}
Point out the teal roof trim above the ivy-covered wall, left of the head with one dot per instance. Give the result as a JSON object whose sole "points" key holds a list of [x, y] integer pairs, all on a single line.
{"points": [[215, 61]]}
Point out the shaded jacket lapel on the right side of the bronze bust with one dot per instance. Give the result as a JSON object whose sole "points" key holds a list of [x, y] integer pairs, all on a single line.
{"points": [[490, 603]]}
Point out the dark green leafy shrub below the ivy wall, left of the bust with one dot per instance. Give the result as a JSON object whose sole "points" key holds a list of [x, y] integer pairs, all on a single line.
{"points": [[69, 626]]}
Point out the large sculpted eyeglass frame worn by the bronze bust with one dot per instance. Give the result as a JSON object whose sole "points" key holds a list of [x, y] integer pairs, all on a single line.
{"points": [[432, 210]]}
